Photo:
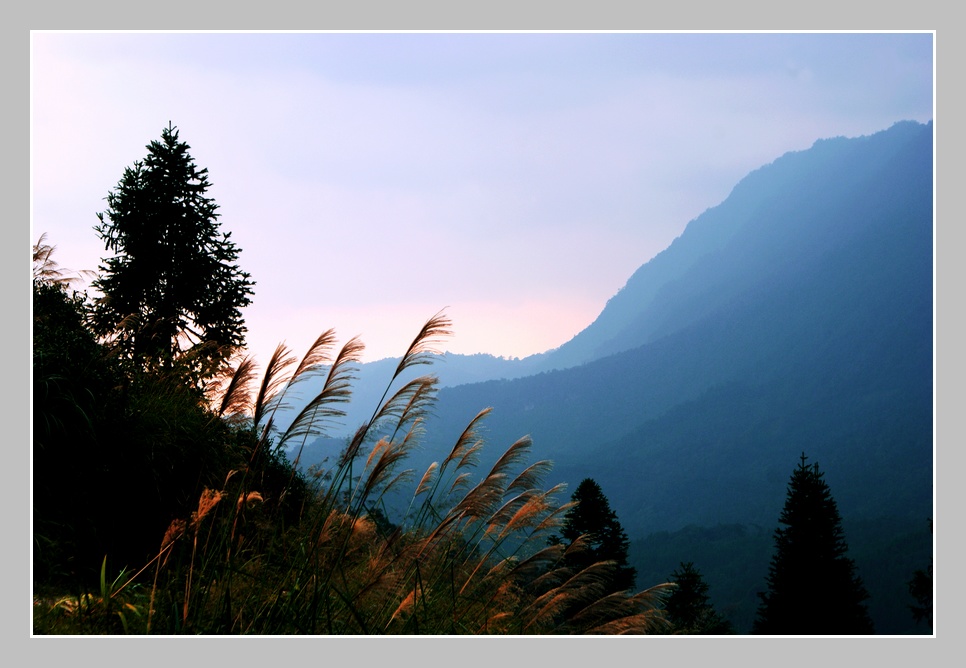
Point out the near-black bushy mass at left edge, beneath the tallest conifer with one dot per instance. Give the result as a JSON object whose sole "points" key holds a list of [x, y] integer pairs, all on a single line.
{"points": [[119, 450]]}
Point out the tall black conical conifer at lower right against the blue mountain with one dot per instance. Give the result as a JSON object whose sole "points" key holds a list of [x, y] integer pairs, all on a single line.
{"points": [[813, 588]]}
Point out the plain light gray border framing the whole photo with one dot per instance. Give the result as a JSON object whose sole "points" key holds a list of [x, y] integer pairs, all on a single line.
{"points": [[439, 15]]}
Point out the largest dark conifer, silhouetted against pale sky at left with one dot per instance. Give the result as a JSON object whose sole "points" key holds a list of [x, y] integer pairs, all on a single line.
{"points": [[172, 285]]}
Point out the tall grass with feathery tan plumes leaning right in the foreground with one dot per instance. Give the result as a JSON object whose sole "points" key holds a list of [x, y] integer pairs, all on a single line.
{"points": [[318, 554]]}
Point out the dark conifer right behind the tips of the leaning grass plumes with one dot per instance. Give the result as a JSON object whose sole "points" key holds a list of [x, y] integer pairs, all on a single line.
{"points": [[593, 518]]}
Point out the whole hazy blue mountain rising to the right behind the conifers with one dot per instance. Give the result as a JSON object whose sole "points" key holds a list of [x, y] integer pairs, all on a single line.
{"points": [[796, 316]]}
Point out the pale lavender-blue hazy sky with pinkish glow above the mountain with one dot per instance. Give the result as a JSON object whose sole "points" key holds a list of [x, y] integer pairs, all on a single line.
{"points": [[517, 180]]}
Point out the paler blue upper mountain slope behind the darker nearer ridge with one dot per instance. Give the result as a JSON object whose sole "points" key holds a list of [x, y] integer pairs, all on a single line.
{"points": [[785, 212]]}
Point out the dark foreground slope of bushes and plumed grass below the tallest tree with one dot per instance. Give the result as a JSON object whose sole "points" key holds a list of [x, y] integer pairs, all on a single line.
{"points": [[198, 488]]}
